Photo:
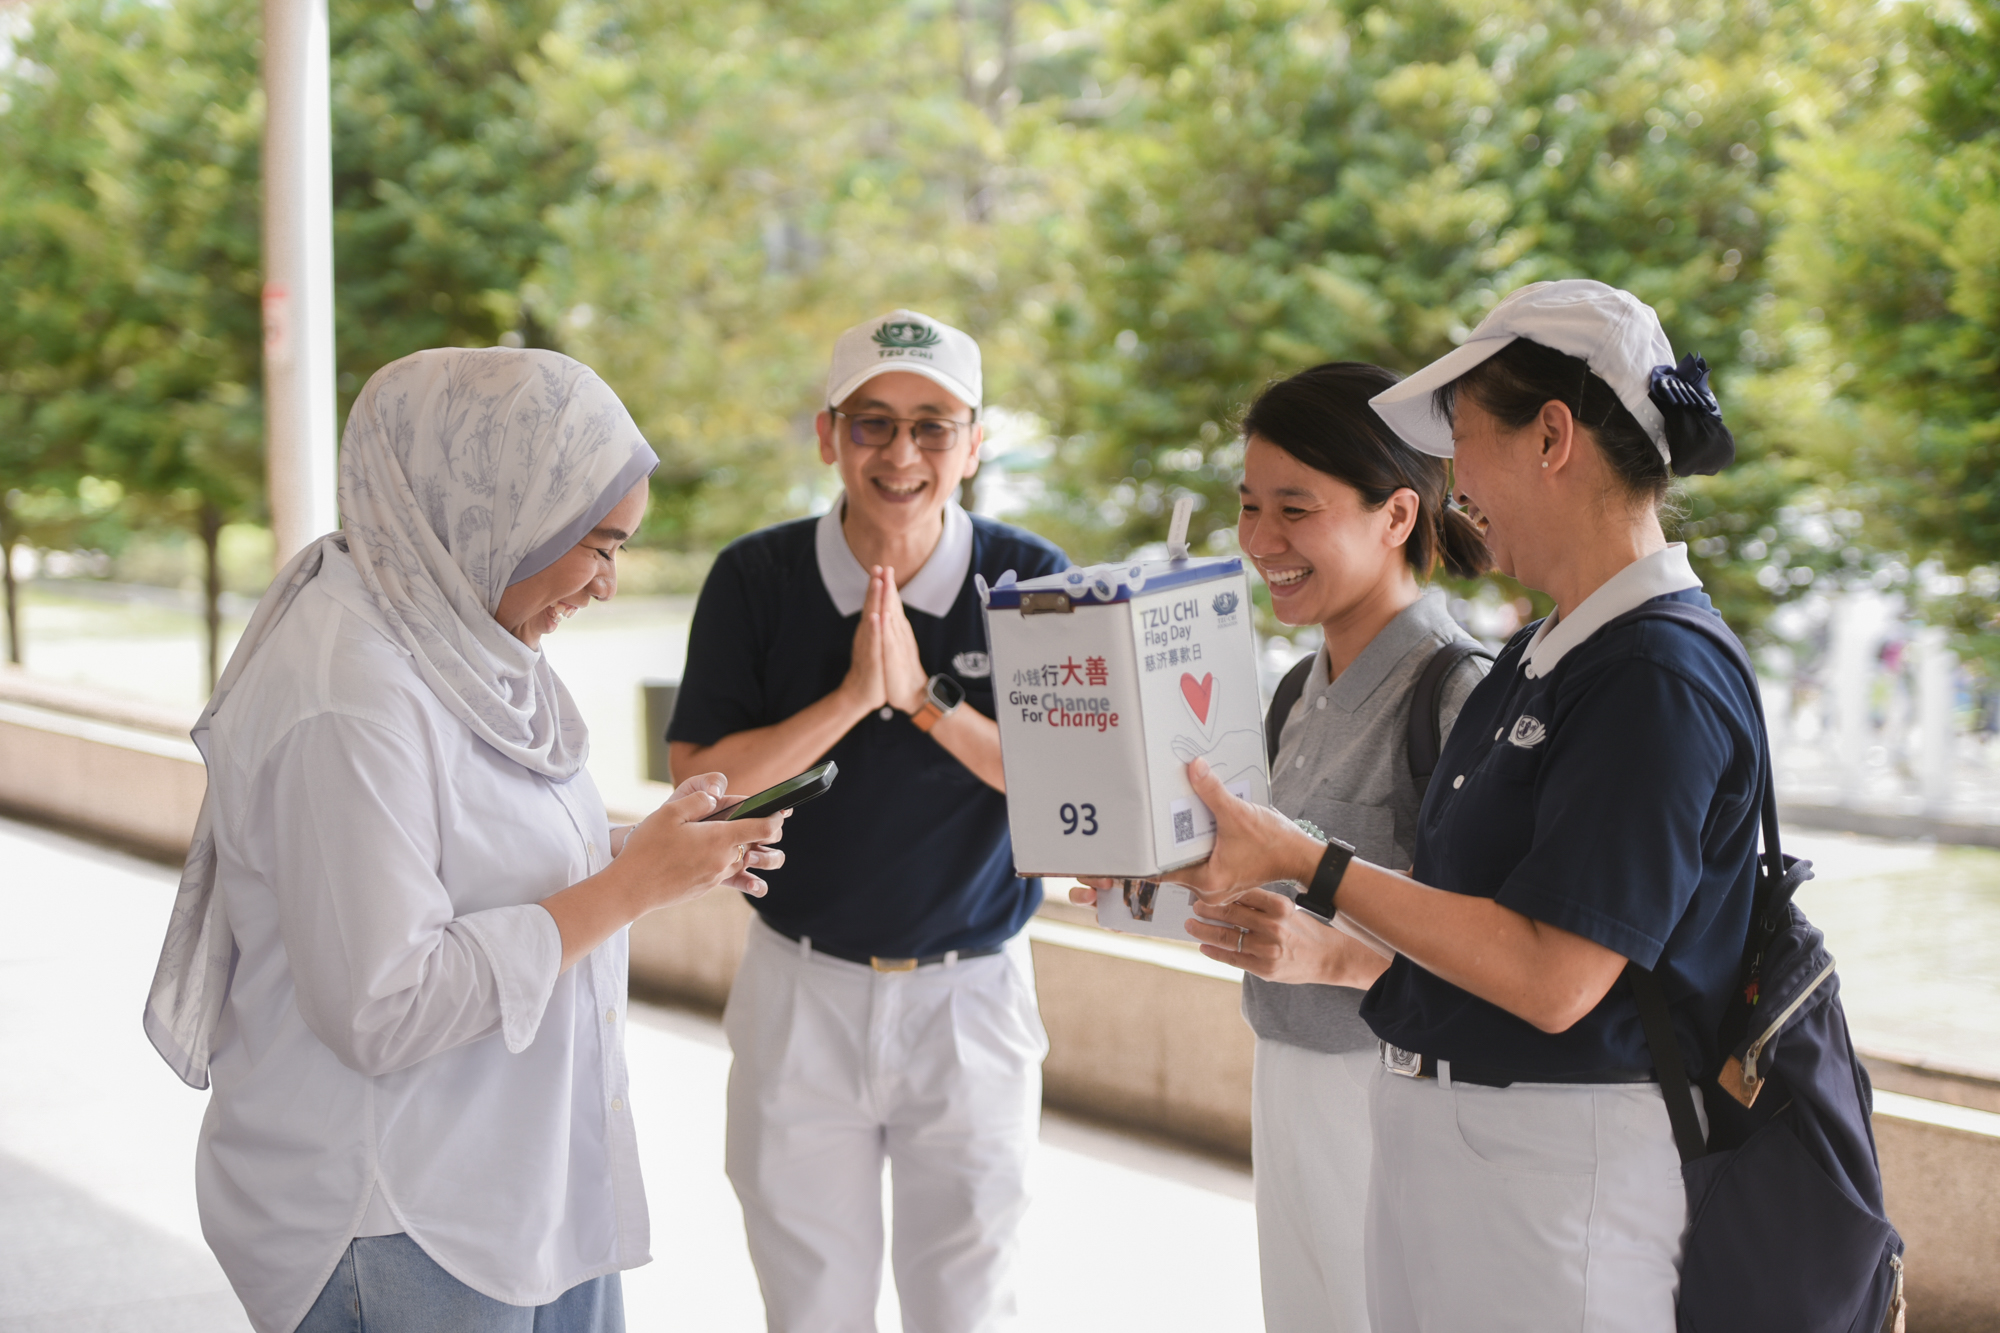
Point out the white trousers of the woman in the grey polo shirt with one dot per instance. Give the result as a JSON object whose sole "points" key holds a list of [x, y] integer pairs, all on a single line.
{"points": [[1311, 1148]]}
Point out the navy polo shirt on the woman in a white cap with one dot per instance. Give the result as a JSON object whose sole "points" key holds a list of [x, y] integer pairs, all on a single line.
{"points": [[1615, 798]]}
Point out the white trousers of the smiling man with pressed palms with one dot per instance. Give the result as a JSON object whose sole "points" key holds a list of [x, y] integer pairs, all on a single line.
{"points": [[841, 1068]]}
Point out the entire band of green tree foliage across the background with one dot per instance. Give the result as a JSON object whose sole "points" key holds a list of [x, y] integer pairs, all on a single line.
{"points": [[1145, 209]]}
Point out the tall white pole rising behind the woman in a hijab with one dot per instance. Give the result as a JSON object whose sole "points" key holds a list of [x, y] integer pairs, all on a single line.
{"points": [[299, 275]]}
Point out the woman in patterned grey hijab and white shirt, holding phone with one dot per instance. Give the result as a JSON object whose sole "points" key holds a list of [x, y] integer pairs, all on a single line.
{"points": [[399, 946]]}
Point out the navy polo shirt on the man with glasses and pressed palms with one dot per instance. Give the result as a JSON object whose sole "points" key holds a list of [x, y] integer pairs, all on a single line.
{"points": [[909, 854]]}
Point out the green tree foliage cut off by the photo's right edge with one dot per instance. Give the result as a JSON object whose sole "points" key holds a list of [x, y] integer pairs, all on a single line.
{"points": [[1891, 301]]}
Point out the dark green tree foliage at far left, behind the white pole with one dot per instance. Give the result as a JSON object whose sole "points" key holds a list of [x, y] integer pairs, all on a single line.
{"points": [[133, 263]]}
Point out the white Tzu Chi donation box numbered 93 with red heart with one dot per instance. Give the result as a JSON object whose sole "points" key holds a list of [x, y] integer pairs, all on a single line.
{"points": [[1107, 684]]}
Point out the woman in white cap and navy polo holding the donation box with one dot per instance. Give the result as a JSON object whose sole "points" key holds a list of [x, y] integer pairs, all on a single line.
{"points": [[1597, 806]]}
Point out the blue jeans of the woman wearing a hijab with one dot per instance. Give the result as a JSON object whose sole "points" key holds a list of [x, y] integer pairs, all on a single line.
{"points": [[387, 1284]]}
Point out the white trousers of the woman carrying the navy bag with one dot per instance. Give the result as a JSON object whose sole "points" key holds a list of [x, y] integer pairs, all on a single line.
{"points": [[1535, 1208]]}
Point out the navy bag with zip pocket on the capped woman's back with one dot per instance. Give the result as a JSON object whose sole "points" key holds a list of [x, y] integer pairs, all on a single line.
{"points": [[1787, 1232]]}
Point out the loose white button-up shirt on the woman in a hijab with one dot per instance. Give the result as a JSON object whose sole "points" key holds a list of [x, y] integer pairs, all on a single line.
{"points": [[399, 1052]]}
